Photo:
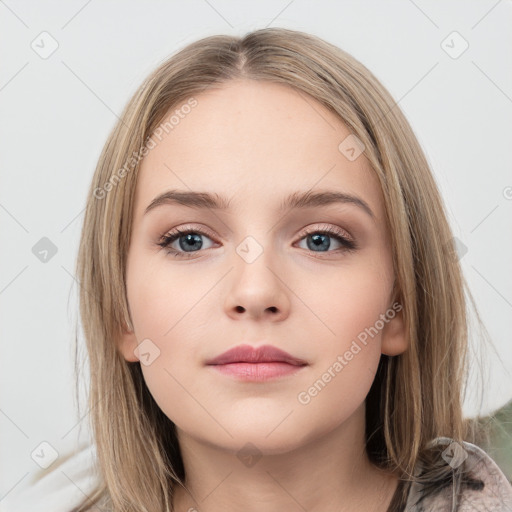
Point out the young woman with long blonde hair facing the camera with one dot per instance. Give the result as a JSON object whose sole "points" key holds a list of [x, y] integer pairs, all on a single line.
{"points": [[274, 313]]}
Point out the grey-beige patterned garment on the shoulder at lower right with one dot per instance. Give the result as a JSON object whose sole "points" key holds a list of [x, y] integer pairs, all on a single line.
{"points": [[494, 493]]}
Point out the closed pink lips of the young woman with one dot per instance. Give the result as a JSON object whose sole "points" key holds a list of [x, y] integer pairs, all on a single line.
{"points": [[257, 364]]}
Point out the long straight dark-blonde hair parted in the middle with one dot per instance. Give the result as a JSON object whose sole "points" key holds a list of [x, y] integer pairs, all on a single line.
{"points": [[416, 396]]}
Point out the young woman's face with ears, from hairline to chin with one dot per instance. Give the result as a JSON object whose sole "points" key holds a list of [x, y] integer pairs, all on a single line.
{"points": [[313, 280]]}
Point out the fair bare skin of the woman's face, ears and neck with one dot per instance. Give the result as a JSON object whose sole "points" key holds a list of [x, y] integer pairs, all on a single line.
{"points": [[256, 143]]}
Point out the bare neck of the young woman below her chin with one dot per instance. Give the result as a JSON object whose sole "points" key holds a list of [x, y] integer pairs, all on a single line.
{"points": [[329, 472]]}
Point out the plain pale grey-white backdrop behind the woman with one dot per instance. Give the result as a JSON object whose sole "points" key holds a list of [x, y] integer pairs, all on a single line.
{"points": [[68, 69]]}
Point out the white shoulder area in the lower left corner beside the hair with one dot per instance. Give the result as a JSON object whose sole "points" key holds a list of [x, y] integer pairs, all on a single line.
{"points": [[58, 489]]}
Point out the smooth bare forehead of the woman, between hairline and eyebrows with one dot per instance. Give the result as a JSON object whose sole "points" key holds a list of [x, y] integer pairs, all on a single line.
{"points": [[253, 141]]}
